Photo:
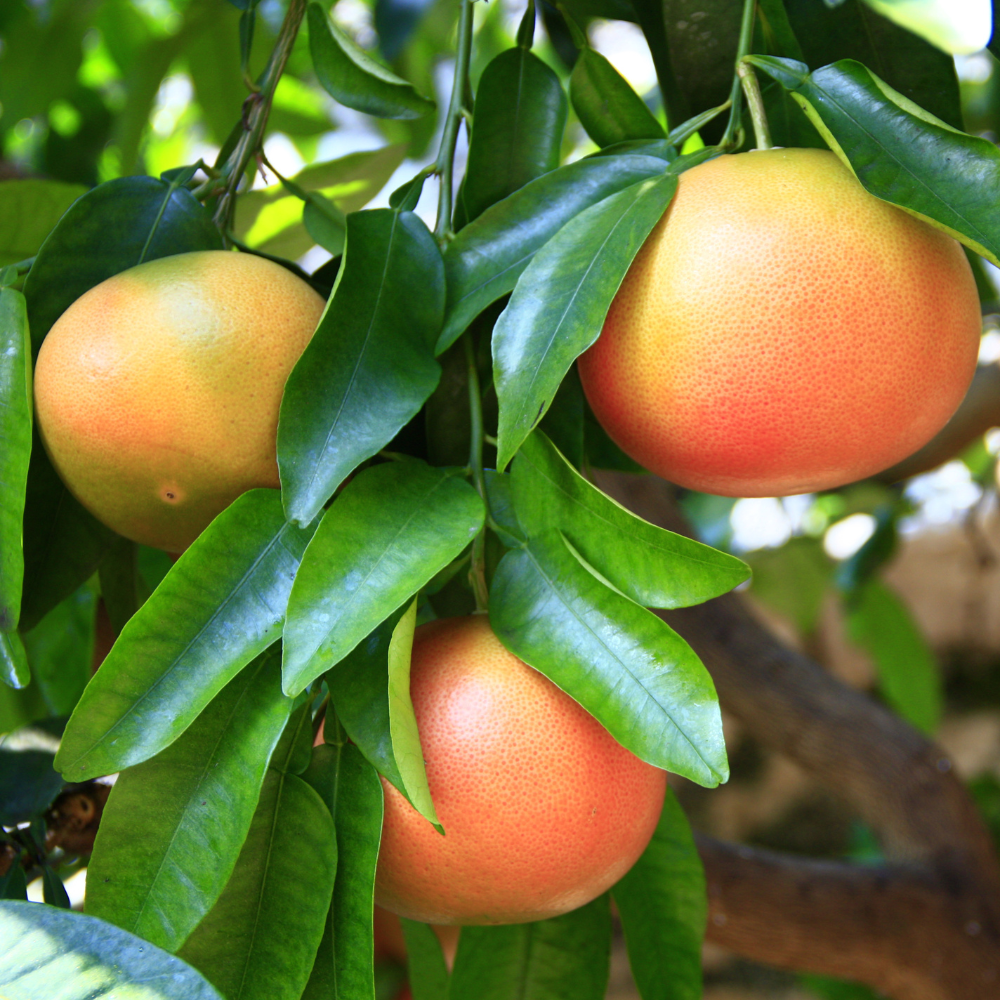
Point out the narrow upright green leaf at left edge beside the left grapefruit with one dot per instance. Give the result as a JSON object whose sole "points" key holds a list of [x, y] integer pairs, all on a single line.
{"points": [[15, 452]]}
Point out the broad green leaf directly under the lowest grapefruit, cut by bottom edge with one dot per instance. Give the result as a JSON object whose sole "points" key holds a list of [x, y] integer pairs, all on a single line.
{"points": [[567, 956]]}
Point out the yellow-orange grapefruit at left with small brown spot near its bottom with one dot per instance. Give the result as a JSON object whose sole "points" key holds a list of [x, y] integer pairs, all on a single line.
{"points": [[157, 391]]}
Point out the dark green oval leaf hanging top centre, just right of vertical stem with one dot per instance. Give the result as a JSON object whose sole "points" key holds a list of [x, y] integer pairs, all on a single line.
{"points": [[517, 128]]}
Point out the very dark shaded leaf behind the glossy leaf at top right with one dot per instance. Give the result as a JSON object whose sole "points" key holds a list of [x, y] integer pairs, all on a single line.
{"points": [[853, 30]]}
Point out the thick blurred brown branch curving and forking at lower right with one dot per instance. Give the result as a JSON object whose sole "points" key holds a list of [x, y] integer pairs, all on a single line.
{"points": [[924, 927]]}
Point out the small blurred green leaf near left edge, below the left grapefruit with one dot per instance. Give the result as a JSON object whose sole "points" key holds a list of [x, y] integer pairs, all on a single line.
{"points": [[60, 651]]}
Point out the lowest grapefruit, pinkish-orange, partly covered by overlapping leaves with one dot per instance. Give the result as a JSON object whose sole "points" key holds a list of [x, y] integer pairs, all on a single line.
{"points": [[542, 809]]}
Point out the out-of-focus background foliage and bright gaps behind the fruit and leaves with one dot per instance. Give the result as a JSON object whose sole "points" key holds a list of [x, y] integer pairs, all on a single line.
{"points": [[894, 587]]}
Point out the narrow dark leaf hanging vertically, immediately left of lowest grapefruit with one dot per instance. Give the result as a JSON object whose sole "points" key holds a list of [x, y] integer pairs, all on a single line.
{"points": [[349, 786]]}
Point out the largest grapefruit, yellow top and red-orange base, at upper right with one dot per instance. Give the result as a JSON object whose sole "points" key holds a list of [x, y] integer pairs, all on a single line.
{"points": [[783, 331]]}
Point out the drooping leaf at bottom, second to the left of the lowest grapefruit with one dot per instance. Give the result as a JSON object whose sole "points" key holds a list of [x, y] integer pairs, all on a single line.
{"points": [[259, 940]]}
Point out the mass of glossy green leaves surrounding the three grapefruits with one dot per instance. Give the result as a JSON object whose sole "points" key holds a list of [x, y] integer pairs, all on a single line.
{"points": [[228, 839]]}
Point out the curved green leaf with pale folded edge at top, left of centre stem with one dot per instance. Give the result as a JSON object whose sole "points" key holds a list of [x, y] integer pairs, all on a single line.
{"points": [[349, 75]]}
